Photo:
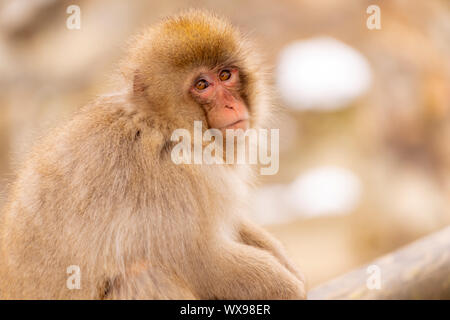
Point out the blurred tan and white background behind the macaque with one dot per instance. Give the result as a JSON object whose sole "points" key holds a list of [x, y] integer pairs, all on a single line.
{"points": [[365, 121]]}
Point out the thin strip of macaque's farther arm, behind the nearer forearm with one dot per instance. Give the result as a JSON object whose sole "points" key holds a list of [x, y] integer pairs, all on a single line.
{"points": [[253, 235]]}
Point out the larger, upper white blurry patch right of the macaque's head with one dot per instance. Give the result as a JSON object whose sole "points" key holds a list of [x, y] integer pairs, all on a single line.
{"points": [[322, 74]]}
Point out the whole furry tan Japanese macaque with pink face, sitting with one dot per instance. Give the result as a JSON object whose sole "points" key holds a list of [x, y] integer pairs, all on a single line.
{"points": [[101, 195]]}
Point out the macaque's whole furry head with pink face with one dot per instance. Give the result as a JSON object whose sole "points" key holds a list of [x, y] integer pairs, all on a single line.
{"points": [[197, 66]]}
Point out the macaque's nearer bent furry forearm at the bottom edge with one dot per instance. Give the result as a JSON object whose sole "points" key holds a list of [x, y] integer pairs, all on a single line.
{"points": [[244, 272]]}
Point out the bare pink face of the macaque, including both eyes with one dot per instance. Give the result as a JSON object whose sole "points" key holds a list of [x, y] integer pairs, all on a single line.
{"points": [[224, 107]]}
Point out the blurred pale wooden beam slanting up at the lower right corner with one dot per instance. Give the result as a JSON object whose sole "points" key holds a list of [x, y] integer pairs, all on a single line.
{"points": [[420, 270]]}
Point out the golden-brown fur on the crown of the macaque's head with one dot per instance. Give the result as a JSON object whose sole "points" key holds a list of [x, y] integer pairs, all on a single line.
{"points": [[191, 38]]}
